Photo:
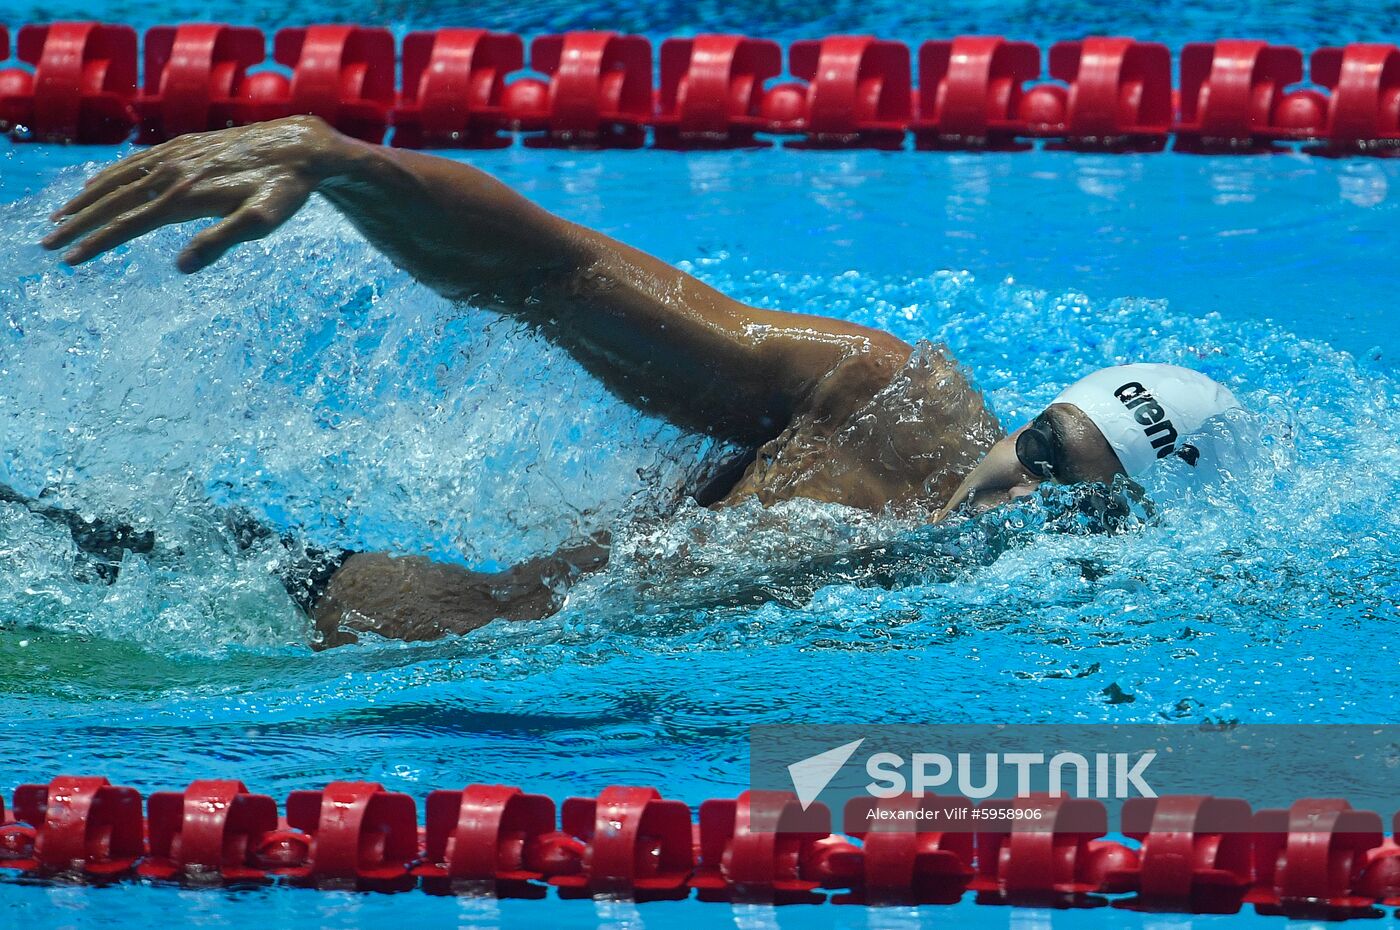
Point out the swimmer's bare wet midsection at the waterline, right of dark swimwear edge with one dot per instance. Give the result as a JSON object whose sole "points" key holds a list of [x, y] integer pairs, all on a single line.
{"points": [[415, 599]]}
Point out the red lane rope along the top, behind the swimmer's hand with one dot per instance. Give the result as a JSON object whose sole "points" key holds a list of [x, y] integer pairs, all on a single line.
{"points": [[78, 82]]}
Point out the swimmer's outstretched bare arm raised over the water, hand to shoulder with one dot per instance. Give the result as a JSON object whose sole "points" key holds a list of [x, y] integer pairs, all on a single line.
{"points": [[656, 335]]}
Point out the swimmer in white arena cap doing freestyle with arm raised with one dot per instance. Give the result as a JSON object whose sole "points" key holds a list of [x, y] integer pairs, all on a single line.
{"points": [[827, 410]]}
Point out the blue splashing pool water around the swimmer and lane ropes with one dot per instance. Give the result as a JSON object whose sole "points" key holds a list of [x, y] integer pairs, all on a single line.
{"points": [[309, 382]]}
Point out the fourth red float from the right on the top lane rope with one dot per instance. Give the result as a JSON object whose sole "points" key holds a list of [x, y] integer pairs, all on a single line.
{"points": [[969, 93]]}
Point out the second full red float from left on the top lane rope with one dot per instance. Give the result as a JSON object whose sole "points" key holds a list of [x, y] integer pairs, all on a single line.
{"points": [[194, 75]]}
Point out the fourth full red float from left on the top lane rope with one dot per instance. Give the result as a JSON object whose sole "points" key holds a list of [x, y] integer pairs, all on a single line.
{"points": [[454, 88]]}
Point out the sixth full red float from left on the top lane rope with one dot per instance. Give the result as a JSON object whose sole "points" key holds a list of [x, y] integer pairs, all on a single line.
{"points": [[712, 90]]}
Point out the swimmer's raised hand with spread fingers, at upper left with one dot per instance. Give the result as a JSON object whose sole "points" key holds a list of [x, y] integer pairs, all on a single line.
{"points": [[254, 177]]}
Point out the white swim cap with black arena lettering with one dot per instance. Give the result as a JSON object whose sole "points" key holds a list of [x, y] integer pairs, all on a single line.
{"points": [[1147, 411]]}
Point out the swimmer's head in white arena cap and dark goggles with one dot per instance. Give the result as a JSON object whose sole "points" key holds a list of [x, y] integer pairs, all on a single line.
{"points": [[1119, 421]]}
